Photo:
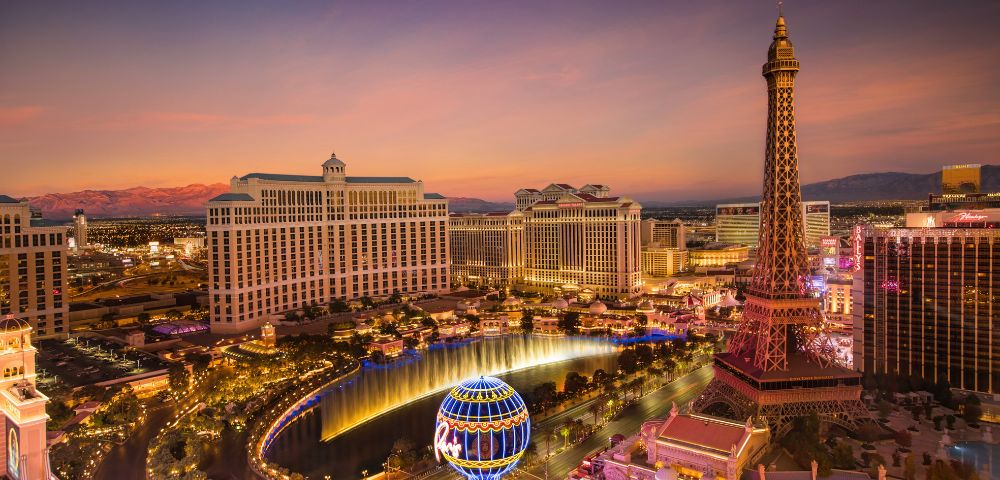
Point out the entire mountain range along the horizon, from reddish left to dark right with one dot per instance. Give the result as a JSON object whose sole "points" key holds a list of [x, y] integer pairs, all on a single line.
{"points": [[190, 200]]}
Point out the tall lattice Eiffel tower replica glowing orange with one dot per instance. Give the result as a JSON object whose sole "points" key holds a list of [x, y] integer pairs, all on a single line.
{"points": [[780, 365]]}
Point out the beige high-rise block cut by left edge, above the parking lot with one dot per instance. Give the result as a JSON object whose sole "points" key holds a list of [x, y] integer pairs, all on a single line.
{"points": [[33, 270]]}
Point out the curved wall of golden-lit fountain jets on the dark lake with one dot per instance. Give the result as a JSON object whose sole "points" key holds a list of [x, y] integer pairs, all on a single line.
{"points": [[378, 389]]}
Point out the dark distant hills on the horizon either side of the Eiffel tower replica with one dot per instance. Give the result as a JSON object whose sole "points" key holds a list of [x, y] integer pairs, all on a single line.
{"points": [[876, 186]]}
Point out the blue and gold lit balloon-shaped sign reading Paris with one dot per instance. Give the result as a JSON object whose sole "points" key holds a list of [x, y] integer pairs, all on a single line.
{"points": [[482, 428]]}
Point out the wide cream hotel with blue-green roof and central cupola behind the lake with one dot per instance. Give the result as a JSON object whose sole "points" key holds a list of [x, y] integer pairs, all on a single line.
{"points": [[280, 242]]}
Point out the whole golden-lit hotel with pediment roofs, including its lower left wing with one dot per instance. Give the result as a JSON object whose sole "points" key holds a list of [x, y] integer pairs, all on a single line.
{"points": [[573, 239]]}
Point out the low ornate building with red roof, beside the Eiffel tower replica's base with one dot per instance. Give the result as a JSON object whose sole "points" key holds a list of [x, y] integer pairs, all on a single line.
{"points": [[685, 446]]}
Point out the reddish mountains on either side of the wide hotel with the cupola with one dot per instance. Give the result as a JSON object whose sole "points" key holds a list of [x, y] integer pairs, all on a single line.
{"points": [[189, 200]]}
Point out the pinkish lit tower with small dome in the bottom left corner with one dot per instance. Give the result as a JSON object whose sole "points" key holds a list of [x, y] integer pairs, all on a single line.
{"points": [[25, 452]]}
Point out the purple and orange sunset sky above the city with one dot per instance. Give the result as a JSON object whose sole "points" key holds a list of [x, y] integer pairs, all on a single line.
{"points": [[659, 99]]}
